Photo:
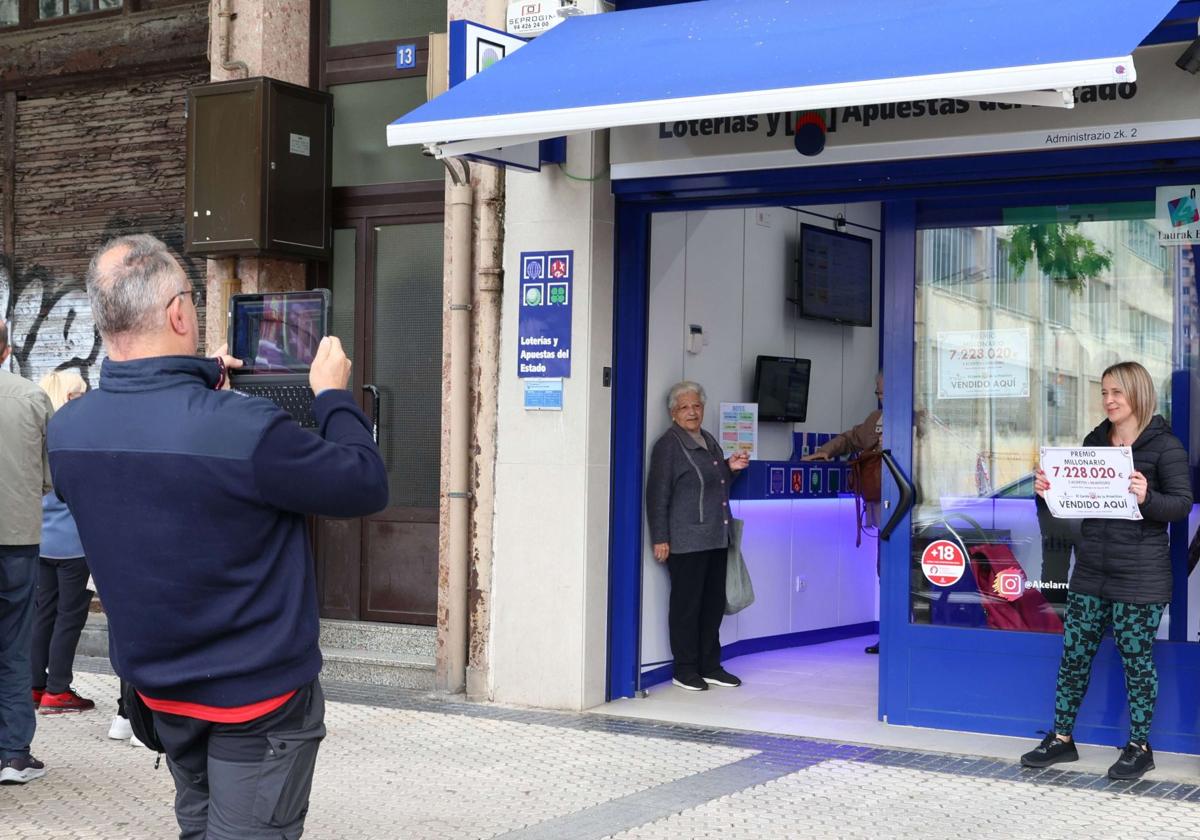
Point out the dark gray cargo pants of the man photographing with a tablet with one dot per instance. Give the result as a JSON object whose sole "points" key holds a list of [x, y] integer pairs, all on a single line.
{"points": [[245, 782]]}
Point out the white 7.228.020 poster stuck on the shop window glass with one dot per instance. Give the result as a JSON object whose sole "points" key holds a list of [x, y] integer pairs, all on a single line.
{"points": [[975, 364]]}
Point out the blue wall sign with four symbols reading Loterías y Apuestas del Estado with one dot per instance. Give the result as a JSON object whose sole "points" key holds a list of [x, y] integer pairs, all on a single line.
{"points": [[544, 328]]}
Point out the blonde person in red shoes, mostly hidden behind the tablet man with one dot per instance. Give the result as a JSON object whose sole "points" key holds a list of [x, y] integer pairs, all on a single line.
{"points": [[63, 597]]}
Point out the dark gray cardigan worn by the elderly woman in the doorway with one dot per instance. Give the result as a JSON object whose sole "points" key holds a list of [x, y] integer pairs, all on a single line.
{"points": [[688, 493]]}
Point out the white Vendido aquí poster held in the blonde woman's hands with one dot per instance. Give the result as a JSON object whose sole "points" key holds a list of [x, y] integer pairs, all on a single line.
{"points": [[1090, 483]]}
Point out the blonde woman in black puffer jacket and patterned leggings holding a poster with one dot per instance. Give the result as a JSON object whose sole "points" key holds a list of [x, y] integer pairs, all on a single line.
{"points": [[1123, 572]]}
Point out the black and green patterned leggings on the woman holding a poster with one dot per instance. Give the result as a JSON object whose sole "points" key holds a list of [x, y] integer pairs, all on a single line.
{"points": [[1135, 627]]}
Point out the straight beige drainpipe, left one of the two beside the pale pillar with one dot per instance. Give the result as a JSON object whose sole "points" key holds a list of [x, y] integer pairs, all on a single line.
{"points": [[460, 203]]}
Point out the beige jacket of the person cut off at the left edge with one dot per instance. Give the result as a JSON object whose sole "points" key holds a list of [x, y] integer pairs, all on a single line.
{"points": [[25, 469]]}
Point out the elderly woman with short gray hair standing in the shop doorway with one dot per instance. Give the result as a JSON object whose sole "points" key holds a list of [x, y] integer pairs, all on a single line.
{"points": [[688, 507]]}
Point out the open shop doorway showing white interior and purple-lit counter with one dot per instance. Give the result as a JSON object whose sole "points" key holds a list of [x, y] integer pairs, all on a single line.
{"points": [[731, 291]]}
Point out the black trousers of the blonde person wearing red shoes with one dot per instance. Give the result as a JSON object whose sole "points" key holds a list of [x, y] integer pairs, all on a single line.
{"points": [[61, 613]]}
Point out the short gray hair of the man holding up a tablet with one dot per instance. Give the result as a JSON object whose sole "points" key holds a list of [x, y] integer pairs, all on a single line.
{"points": [[133, 295]]}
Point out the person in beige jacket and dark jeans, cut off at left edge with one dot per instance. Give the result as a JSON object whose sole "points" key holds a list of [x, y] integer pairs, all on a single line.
{"points": [[25, 479]]}
